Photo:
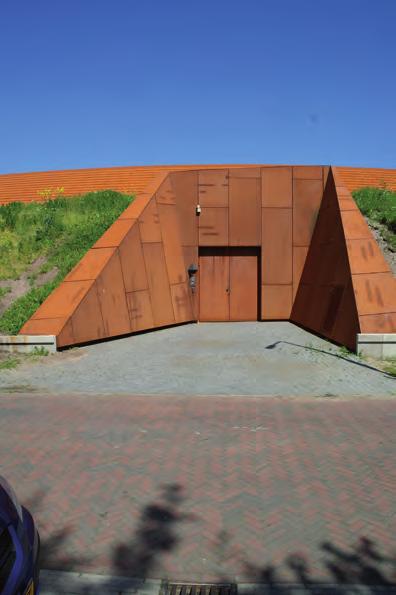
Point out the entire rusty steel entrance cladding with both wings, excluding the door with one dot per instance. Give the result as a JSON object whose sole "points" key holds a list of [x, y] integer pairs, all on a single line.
{"points": [[135, 276]]}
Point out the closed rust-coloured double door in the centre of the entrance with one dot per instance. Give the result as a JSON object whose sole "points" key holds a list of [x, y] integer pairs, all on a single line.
{"points": [[228, 284]]}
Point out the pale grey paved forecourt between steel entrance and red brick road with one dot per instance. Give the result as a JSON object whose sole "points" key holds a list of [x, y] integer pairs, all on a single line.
{"points": [[272, 358]]}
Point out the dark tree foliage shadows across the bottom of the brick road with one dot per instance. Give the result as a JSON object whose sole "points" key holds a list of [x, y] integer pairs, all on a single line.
{"points": [[343, 570]]}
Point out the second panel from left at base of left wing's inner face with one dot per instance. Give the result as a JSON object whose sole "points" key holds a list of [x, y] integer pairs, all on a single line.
{"points": [[87, 321]]}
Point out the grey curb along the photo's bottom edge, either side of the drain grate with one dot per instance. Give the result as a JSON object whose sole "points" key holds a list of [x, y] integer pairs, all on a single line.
{"points": [[53, 582]]}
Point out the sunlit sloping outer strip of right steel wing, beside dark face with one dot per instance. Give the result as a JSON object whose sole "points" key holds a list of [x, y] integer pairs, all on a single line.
{"points": [[373, 282]]}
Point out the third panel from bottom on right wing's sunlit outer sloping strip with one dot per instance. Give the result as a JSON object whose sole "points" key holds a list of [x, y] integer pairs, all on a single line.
{"points": [[365, 256]]}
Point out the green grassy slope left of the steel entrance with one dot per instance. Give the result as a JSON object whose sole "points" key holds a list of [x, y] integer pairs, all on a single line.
{"points": [[61, 230]]}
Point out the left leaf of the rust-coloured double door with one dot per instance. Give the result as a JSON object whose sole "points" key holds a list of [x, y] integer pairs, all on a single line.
{"points": [[214, 283]]}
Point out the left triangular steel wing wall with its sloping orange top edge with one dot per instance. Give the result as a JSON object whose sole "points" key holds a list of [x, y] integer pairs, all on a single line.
{"points": [[134, 277]]}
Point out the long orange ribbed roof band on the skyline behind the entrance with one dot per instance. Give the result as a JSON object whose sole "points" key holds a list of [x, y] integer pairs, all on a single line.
{"points": [[39, 186]]}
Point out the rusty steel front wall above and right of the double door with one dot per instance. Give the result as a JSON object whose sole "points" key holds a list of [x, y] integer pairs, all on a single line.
{"points": [[274, 208]]}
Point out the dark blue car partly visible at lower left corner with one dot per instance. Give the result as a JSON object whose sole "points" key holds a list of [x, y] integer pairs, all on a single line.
{"points": [[19, 546]]}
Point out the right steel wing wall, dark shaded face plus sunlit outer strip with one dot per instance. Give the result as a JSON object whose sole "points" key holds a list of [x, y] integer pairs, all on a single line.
{"points": [[346, 286]]}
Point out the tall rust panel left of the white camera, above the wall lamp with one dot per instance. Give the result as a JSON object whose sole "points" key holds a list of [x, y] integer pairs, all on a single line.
{"points": [[185, 186]]}
